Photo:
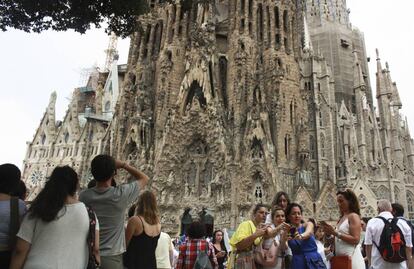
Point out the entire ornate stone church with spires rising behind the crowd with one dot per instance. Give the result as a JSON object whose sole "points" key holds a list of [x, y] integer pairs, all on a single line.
{"points": [[225, 102]]}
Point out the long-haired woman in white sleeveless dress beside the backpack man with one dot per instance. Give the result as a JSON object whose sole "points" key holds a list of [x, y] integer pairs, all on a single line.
{"points": [[348, 231]]}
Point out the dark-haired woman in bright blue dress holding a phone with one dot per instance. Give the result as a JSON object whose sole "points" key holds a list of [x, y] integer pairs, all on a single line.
{"points": [[302, 241]]}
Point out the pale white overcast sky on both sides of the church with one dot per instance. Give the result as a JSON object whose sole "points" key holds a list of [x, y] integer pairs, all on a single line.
{"points": [[34, 65]]}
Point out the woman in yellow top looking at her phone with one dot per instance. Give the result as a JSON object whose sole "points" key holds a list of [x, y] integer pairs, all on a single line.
{"points": [[248, 233]]}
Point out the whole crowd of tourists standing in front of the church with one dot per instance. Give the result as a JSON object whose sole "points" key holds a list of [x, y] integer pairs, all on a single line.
{"points": [[64, 227]]}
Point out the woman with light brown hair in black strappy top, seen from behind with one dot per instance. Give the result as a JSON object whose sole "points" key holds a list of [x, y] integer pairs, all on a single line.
{"points": [[142, 234]]}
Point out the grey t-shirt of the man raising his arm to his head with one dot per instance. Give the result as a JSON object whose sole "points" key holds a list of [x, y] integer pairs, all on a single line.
{"points": [[110, 205]]}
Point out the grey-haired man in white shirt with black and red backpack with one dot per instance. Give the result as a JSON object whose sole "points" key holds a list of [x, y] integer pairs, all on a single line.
{"points": [[388, 240]]}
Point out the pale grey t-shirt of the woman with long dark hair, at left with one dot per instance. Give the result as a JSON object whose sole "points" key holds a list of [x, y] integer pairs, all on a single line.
{"points": [[60, 243]]}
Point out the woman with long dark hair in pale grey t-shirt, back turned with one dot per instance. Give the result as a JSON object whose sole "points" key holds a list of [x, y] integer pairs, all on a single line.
{"points": [[54, 232]]}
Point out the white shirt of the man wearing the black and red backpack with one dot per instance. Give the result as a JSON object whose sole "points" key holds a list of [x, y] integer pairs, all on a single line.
{"points": [[373, 234]]}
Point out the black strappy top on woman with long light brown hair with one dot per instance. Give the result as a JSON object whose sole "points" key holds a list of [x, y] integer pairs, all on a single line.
{"points": [[140, 252]]}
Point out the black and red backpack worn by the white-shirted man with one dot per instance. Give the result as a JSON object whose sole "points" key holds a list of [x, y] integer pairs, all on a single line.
{"points": [[392, 242]]}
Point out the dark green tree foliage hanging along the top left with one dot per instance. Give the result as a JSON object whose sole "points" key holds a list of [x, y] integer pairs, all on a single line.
{"points": [[78, 15]]}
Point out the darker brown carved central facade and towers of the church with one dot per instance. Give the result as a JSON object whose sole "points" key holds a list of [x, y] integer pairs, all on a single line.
{"points": [[212, 106]]}
